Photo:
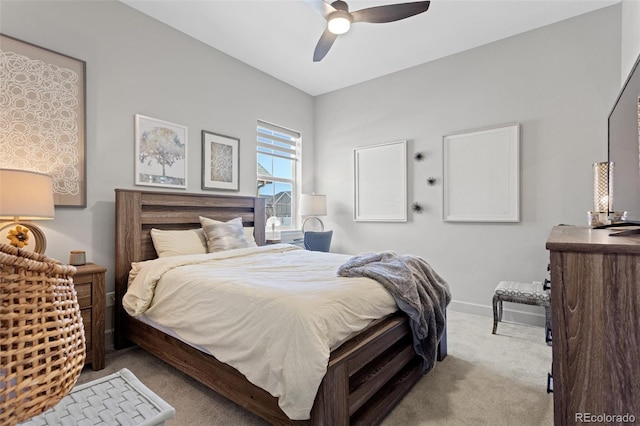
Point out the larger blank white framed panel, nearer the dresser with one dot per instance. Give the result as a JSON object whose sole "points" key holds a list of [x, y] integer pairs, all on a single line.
{"points": [[482, 175]]}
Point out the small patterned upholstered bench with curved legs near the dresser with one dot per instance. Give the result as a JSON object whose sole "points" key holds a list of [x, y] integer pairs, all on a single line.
{"points": [[526, 293]]}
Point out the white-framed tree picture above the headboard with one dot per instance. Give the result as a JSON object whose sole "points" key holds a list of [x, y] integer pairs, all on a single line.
{"points": [[161, 153]]}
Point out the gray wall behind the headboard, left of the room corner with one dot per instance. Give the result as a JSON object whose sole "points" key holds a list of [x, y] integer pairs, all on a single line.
{"points": [[136, 65]]}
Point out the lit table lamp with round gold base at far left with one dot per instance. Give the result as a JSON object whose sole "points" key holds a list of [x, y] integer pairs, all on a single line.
{"points": [[25, 196]]}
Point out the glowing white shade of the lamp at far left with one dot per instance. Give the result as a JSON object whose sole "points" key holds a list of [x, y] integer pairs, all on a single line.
{"points": [[25, 195]]}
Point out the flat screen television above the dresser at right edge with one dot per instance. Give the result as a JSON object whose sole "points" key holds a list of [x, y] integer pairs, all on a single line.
{"points": [[624, 148]]}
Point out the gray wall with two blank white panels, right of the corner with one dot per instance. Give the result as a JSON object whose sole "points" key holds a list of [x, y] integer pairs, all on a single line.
{"points": [[558, 82]]}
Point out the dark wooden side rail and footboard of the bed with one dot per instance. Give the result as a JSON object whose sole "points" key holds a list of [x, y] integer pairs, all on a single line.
{"points": [[366, 377]]}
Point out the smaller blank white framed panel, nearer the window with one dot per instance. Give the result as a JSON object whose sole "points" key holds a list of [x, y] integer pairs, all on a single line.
{"points": [[380, 175]]}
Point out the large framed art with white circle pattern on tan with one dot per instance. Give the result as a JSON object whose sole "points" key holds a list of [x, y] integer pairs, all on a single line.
{"points": [[43, 116]]}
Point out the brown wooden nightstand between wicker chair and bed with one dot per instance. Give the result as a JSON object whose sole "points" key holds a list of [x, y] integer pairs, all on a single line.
{"points": [[89, 284]]}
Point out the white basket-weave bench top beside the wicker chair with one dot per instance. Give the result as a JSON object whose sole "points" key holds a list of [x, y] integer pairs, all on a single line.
{"points": [[117, 399]]}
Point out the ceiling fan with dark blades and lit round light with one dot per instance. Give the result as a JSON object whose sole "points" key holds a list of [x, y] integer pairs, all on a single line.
{"points": [[339, 19]]}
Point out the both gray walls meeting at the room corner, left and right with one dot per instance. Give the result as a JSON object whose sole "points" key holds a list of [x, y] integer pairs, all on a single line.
{"points": [[559, 82]]}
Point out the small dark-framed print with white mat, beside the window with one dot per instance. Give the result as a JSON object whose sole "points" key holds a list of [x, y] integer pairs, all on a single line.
{"points": [[220, 162]]}
